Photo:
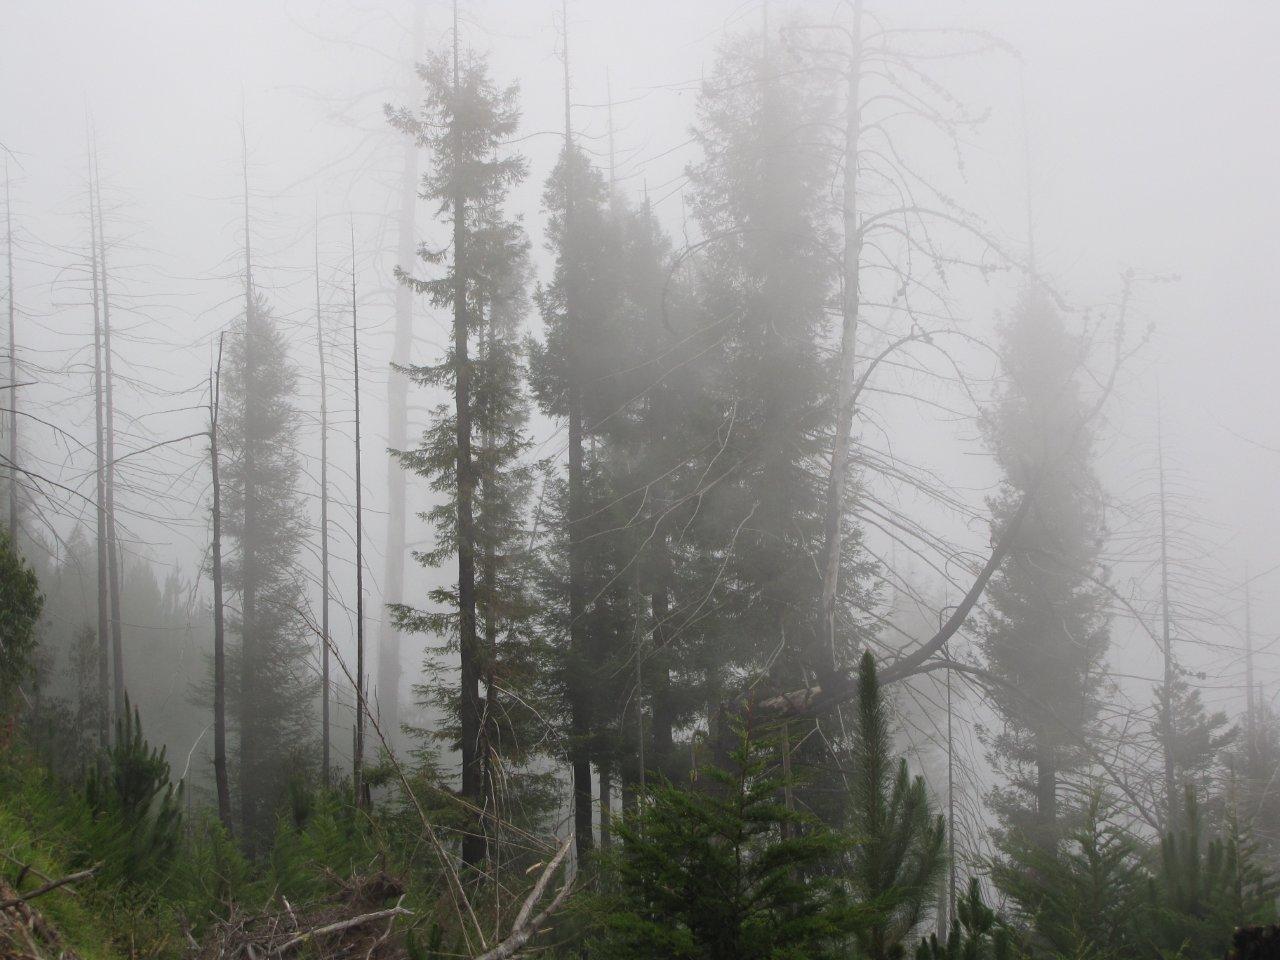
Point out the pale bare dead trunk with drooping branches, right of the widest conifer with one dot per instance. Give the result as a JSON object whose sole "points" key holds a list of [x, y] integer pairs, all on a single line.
{"points": [[838, 478]]}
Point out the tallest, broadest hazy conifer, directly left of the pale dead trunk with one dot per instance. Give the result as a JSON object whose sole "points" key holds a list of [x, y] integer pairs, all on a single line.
{"points": [[765, 286]]}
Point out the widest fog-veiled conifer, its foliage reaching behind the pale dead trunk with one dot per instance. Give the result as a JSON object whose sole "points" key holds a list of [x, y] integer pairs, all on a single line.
{"points": [[765, 282]]}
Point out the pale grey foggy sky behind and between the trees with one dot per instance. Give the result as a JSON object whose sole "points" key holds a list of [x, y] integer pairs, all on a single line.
{"points": [[1140, 138]]}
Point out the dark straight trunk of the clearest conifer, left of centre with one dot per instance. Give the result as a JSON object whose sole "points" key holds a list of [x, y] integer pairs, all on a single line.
{"points": [[473, 769]]}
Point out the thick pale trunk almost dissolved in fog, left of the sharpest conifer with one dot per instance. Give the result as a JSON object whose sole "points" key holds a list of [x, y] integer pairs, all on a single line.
{"points": [[397, 435]]}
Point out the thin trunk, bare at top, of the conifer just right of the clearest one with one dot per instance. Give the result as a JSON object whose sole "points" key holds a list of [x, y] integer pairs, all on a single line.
{"points": [[580, 721]]}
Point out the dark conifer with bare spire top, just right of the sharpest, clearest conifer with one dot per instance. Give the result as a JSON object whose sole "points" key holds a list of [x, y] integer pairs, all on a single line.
{"points": [[589, 610]]}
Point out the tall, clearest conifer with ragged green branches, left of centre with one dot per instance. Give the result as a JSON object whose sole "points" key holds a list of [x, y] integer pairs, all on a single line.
{"points": [[472, 452]]}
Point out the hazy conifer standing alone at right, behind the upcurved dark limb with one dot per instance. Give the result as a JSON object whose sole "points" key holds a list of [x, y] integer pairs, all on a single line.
{"points": [[1046, 634]]}
